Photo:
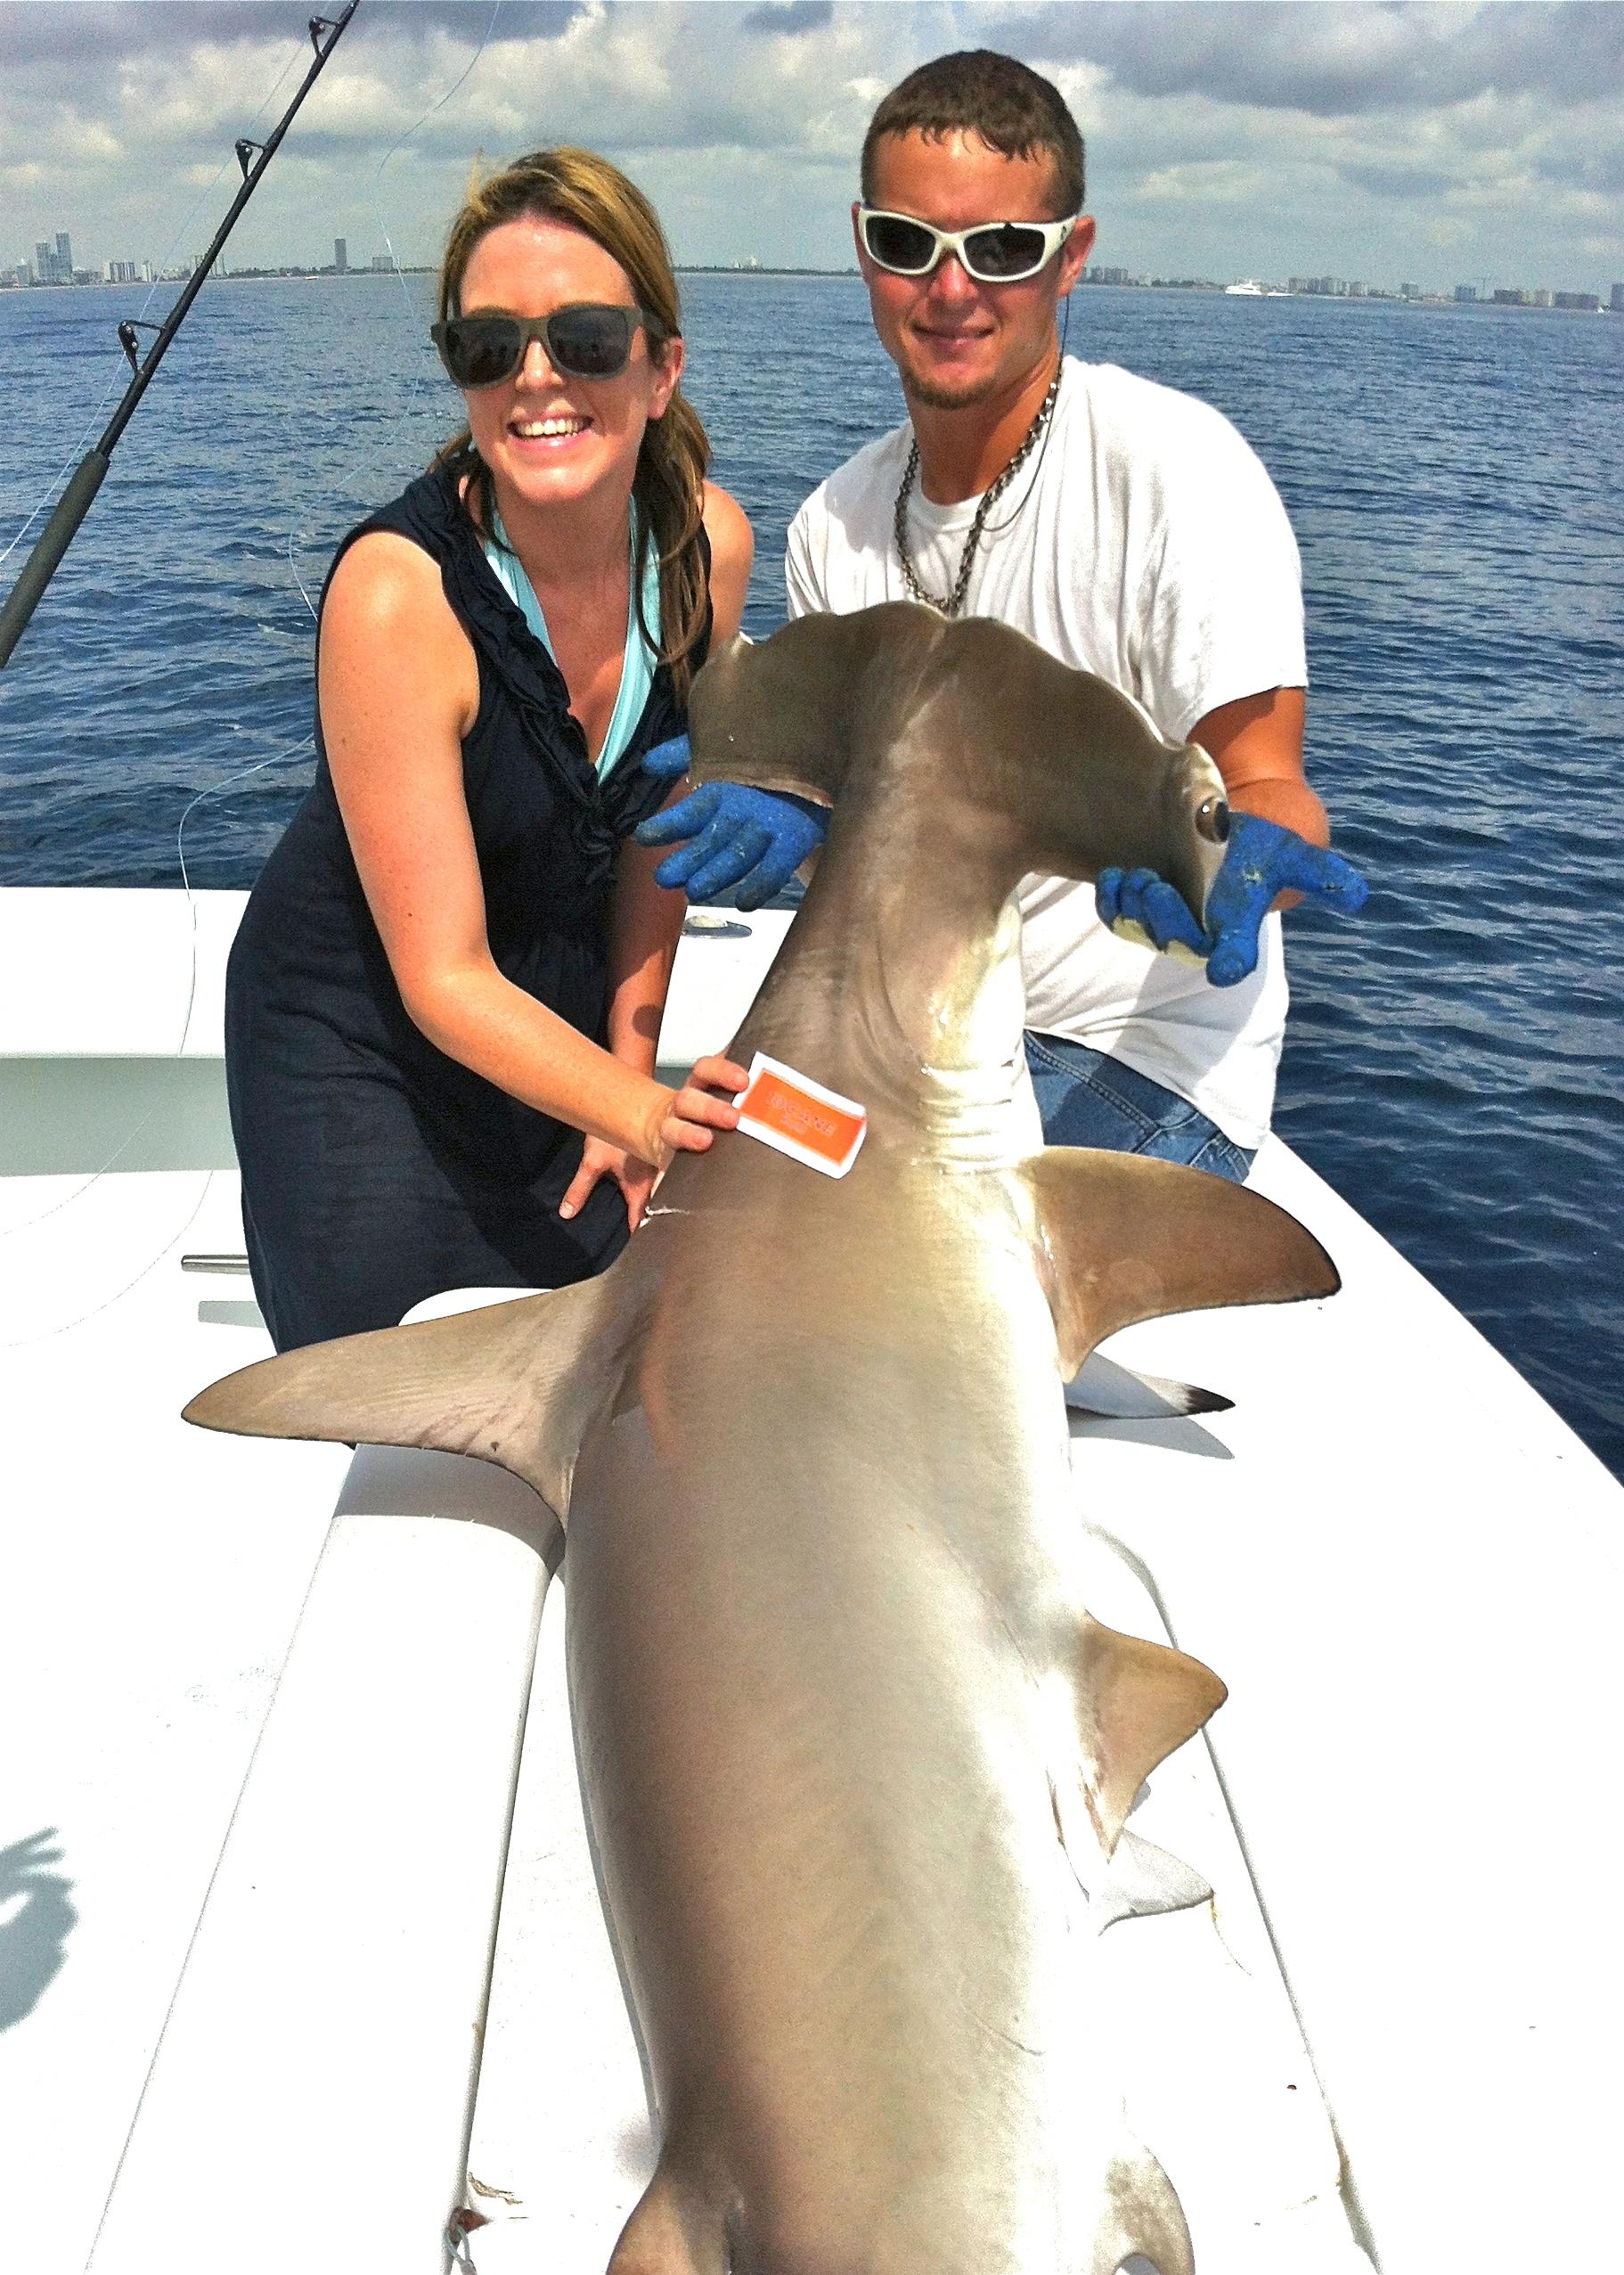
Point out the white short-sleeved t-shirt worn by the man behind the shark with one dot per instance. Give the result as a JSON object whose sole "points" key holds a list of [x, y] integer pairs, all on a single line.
{"points": [[1147, 545]]}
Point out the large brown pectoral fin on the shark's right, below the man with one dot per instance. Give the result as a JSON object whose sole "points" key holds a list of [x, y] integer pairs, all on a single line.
{"points": [[1129, 1239]]}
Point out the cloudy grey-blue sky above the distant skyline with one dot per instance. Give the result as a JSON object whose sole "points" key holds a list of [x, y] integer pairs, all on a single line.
{"points": [[1225, 140]]}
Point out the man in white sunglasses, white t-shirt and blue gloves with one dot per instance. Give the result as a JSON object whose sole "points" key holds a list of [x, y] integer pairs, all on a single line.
{"points": [[1132, 533]]}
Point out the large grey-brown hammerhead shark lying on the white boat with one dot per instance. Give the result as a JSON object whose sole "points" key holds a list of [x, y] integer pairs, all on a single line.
{"points": [[854, 1755]]}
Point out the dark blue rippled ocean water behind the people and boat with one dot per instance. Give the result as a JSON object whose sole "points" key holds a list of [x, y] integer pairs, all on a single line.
{"points": [[1455, 1059]]}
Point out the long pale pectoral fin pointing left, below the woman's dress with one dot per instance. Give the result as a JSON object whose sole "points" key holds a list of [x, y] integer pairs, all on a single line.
{"points": [[515, 1384]]}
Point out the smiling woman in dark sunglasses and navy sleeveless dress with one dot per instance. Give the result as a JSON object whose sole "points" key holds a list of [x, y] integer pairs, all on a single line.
{"points": [[456, 961]]}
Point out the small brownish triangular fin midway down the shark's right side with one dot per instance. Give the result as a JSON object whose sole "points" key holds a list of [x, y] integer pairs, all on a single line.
{"points": [[1136, 1703]]}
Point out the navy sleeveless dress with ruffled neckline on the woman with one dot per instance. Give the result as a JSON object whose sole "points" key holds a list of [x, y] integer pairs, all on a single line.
{"points": [[376, 1170]]}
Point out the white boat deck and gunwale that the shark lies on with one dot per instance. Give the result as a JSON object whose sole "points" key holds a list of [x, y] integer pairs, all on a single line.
{"points": [[301, 1958]]}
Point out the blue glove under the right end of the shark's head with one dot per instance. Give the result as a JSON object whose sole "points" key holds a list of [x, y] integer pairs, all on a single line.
{"points": [[1261, 861]]}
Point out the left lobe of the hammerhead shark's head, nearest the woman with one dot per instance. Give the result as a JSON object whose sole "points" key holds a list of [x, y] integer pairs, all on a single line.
{"points": [[779, 715]]}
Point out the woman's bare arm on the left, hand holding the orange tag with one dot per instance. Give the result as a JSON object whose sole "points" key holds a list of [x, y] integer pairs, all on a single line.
{"points": [[399, 690]]}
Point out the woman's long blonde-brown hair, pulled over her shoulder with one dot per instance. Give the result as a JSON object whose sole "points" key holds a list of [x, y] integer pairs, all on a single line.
{"points": [[595, 197]]}
